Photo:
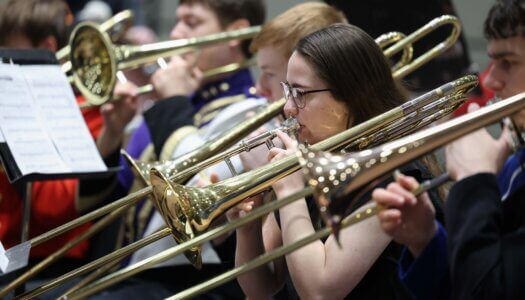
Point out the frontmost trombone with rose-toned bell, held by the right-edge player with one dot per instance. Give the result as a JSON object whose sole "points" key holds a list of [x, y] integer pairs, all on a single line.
{"points": [[397, 153]]}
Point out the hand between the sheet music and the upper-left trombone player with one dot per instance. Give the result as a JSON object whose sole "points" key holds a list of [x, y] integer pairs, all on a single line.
{"points": [[117, 115]]}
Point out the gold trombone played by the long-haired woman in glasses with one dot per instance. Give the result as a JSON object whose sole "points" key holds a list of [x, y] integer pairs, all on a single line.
{"points": [[184, 227]]}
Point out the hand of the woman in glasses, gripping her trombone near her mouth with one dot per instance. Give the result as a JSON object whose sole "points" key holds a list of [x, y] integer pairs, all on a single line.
{"points": [[293, 182]]}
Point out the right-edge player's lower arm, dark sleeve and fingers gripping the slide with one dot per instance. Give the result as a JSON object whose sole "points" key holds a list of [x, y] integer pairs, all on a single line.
{"points": [[409, 220]]}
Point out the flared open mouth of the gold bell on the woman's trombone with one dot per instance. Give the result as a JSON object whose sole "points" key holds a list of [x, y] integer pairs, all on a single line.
{"points": [[164, 197]]}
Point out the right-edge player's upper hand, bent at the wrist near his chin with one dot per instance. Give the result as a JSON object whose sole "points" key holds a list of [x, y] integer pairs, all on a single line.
{"points": [[477, 152]]}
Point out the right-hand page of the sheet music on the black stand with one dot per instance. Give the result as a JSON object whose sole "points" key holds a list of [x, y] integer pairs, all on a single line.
{"points": [[62, 118]]}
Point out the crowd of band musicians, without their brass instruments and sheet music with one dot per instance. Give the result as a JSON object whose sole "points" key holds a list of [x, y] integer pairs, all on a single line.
{"points": [[458, 241]]}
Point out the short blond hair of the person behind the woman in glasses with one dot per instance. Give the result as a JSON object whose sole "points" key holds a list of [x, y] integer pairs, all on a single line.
{"points": [[284, 31]]}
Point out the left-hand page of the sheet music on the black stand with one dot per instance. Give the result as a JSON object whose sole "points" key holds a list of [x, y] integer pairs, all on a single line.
{"points": [[28, 141]]}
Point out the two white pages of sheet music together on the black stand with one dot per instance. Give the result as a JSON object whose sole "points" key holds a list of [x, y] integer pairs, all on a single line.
{"points": [[41, 123]]}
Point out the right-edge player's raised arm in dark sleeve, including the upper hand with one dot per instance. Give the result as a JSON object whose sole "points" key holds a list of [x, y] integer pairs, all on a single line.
{"points": [[486, 258]]}
